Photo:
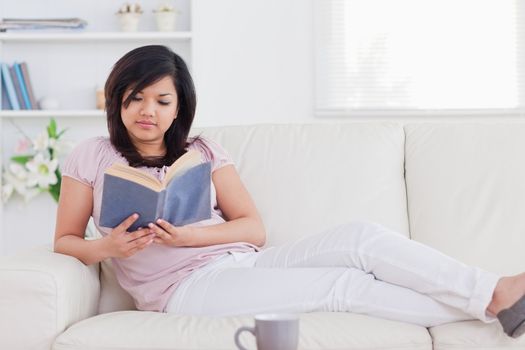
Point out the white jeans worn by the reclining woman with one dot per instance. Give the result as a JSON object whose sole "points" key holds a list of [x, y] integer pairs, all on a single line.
{"points": [[358, 267]]}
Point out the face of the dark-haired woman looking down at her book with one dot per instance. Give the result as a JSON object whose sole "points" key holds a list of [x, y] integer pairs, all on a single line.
{"points": [[150, 112]]}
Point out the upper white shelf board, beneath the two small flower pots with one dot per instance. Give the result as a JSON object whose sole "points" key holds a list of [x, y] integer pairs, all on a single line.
{"points": [[92, 36]]}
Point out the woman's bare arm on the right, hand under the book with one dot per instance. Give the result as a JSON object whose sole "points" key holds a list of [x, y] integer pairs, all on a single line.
{"points": [[243, 221]]}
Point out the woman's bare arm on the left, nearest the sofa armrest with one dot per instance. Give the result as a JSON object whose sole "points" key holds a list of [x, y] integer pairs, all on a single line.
{"points": [[74, 209]]}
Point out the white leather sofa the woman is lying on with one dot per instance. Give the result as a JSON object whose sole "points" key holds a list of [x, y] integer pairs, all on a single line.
{"points": [[459, 187]]}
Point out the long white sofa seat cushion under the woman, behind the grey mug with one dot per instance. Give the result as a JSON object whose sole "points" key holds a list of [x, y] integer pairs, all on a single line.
{"points": [[150, 330]]}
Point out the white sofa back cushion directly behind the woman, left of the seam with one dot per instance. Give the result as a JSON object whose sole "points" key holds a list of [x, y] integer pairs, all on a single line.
{"points": [[324, 174]]}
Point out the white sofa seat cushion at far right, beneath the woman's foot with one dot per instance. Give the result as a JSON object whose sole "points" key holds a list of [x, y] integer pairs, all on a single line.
{"points": [[473, 335]]}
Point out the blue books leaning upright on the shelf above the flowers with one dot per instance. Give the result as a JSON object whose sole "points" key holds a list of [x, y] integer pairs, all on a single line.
{"points": [[17, 91]]}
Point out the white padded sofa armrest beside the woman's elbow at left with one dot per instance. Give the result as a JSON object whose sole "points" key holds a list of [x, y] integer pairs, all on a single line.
{"points": [[41, 294]]}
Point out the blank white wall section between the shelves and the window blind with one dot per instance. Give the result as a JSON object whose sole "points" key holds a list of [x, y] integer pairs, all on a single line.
{"points": [[253, 61]]}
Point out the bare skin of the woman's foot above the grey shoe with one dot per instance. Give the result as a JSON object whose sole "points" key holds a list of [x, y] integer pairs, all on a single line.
{"points": [[508, 291]]}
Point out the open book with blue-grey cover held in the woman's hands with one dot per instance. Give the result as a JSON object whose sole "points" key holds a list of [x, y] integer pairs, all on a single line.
{"points": [[183, 197]]}
